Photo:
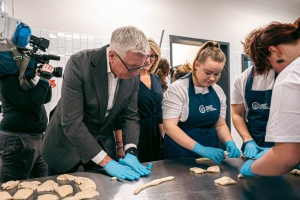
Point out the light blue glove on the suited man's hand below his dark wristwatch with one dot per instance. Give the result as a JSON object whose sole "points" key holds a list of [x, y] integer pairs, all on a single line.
{"points": [[132, 161]]}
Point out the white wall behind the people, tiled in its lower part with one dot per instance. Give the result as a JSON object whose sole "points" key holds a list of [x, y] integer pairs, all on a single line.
{"points": [[72, 25]]}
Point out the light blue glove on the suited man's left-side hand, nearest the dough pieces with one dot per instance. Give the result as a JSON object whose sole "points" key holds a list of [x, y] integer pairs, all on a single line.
{"points": [[120, 171]]}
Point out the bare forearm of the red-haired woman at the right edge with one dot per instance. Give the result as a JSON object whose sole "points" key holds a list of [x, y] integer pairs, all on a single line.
{"points": [[279, 160]]}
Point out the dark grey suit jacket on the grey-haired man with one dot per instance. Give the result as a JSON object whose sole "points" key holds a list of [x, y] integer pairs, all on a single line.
{"points": [[79, 119]]}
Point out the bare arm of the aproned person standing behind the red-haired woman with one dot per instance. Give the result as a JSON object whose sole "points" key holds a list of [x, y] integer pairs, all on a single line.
{"points": [[237, 114]]}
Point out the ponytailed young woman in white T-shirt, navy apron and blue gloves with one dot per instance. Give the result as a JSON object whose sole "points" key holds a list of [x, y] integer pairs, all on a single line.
{"points": [[198, 134]]}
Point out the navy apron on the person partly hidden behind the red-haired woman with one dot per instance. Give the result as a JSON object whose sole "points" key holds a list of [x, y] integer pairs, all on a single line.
{"points": [[259, 108]]}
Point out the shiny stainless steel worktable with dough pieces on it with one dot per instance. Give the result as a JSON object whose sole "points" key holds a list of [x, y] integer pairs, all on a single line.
{"points": [[187, 185]]}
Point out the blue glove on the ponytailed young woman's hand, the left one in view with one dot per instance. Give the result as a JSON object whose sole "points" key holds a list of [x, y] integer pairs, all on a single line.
{"points": [[215, 154]]}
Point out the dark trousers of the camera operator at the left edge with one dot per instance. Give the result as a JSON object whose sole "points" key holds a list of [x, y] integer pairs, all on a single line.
{"points": [[20, 156]]}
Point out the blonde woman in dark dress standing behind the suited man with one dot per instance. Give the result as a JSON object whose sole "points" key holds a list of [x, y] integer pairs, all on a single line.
{"points": [[149, 107]]}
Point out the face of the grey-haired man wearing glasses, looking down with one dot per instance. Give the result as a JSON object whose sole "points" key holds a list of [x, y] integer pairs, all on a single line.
{"points": [[127, 66]]}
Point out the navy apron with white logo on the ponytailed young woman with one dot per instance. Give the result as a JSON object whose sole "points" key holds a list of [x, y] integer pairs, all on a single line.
{"points": [[204, 112]]}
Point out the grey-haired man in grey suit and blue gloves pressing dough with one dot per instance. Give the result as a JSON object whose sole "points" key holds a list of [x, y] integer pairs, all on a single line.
{"points": [[99, 85]]}
